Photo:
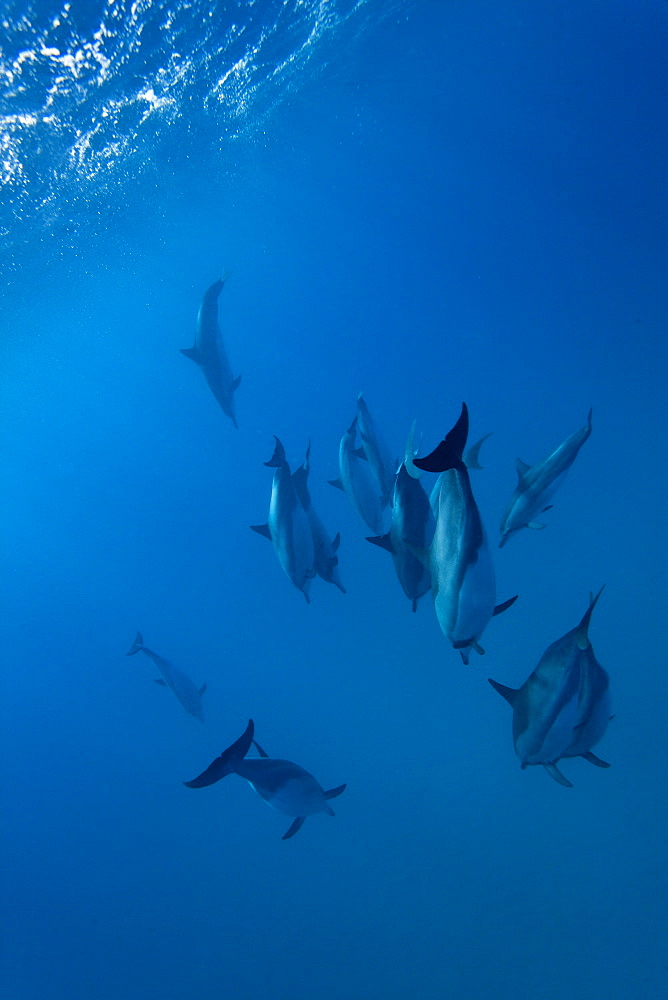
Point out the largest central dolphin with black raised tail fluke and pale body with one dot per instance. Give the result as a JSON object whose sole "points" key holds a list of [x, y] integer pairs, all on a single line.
{"points": [[462, 575]]}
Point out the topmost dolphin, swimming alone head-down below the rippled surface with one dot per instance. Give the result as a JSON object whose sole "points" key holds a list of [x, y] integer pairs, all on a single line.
{"points": [[209, 351]]}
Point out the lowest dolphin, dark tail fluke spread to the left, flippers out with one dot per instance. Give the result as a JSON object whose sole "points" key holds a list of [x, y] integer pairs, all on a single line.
{"points": [[285, 786]]}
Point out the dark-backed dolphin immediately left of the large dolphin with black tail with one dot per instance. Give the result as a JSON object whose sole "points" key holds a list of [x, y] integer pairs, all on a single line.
{"points": [[412, 527]]}
